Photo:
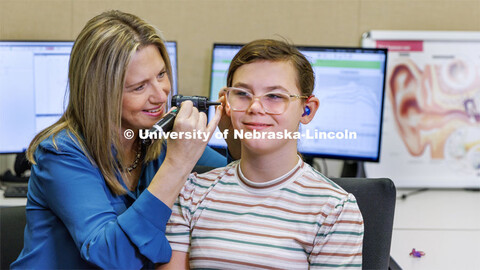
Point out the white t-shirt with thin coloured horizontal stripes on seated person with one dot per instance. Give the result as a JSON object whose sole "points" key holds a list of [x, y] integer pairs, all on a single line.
{"points": [[298, 221]]}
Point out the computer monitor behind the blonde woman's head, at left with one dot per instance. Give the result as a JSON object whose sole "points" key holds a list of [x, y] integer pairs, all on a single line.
{"points": [[33, 84]]}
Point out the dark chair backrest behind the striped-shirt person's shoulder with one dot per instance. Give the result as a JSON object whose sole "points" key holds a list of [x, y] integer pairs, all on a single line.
{"points": [[376, 200]]}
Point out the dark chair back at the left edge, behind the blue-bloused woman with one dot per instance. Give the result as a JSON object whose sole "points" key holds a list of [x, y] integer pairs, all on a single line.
{"points": [[12, 226]]}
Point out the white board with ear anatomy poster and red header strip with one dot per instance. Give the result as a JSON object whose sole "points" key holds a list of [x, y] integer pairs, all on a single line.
{"points": [[431, 128]]}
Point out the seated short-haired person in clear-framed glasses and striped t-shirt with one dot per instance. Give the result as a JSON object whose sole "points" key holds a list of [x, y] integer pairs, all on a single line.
{"points": [[269, 209]]}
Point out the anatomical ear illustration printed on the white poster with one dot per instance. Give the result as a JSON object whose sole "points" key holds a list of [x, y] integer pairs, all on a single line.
{"points": [[437, 108]]}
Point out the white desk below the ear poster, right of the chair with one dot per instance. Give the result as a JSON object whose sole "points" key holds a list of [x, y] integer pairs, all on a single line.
{"points": [[445, 224]]}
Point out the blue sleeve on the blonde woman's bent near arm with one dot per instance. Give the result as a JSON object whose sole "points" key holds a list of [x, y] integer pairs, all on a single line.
{"points": [[76, 192]]}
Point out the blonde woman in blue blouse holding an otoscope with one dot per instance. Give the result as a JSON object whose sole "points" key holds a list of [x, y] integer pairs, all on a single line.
{"points": [[97, 197]]}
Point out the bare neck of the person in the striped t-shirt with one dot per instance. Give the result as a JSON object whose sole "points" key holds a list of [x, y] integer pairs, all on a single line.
{"points": [[265, 167]]}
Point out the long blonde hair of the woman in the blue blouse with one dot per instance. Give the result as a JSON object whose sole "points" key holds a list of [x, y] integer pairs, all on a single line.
{"points": [[98, 63]]}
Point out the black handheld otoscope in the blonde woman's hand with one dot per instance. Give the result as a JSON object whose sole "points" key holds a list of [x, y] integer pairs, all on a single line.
{"points": [[166, 123]]}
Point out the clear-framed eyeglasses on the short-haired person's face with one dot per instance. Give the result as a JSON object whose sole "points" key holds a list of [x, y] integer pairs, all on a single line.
{"points": [[273, 102]]}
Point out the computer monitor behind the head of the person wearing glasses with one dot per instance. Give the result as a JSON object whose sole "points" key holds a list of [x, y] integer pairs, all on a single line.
{"points": [[350, 84]]}
